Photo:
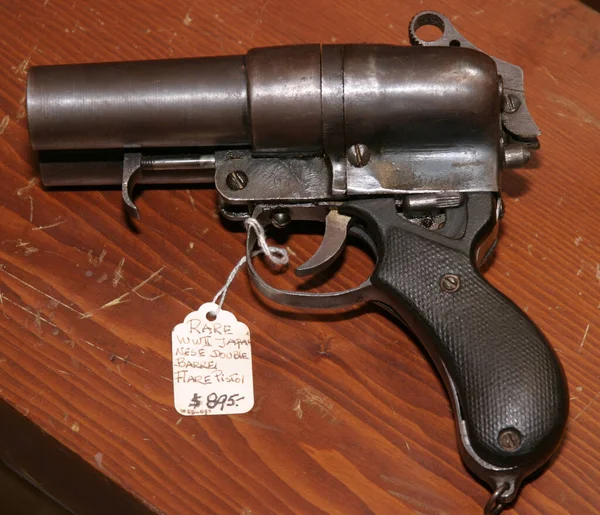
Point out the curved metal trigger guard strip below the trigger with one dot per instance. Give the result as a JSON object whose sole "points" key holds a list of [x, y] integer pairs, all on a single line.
{"points": [[343, 299]]}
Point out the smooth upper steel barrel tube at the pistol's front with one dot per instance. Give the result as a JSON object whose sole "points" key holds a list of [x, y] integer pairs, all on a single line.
{"points": [[166, 103]]}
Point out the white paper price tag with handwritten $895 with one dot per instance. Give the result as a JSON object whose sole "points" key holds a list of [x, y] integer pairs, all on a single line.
{"points": [[212, 364]]}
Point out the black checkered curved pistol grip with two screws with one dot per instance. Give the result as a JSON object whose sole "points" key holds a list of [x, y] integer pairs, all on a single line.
{"points": [[508, 388]]}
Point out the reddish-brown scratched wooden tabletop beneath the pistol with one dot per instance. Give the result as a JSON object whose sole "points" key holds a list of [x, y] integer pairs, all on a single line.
{"points": [[350, 417]]}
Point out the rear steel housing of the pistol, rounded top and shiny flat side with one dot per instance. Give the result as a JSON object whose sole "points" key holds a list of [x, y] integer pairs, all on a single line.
{"points": [[430, 119]]}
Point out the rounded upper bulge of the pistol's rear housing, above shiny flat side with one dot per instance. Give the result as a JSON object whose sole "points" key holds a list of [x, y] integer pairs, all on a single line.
{"points": [[412, 98]]}
